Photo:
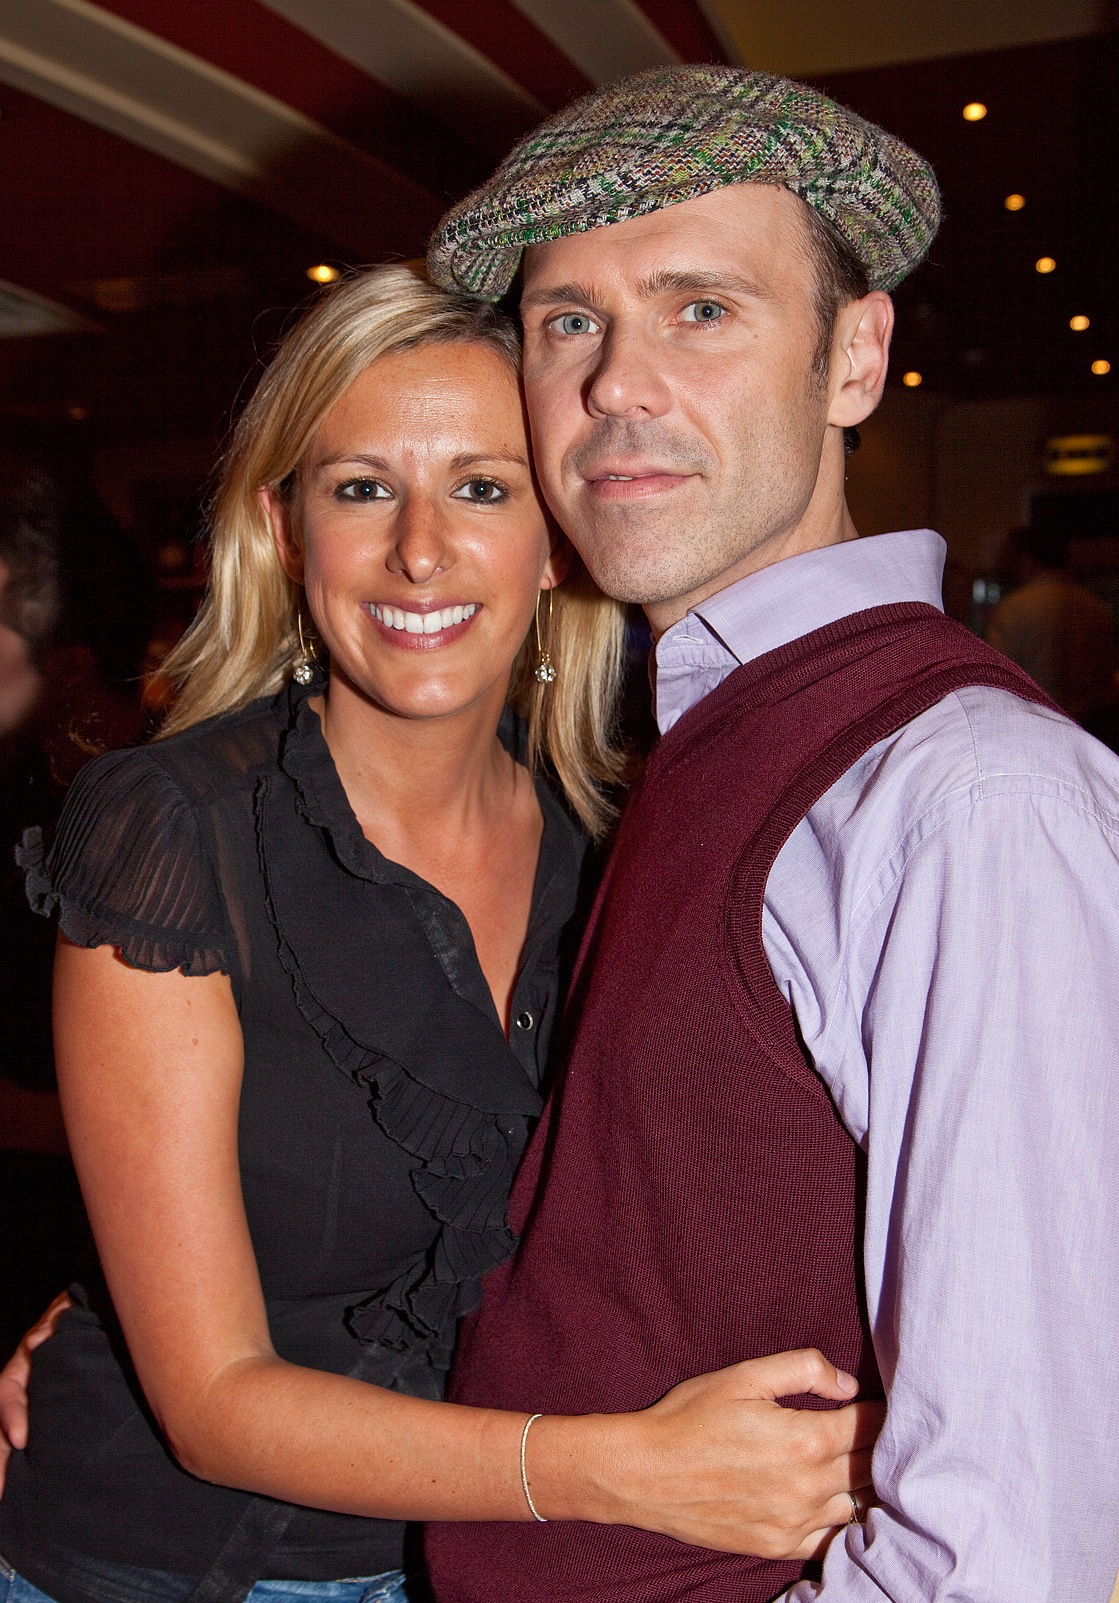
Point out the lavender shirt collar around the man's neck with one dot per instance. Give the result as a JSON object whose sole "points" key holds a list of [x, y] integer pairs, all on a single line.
{"points": [[785, 602]]}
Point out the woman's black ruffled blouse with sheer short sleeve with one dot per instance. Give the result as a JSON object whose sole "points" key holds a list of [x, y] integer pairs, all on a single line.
{"points": [[382, 1112]]}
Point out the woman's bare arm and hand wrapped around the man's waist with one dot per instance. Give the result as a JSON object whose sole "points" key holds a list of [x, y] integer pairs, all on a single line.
{"points": [[150, 1075]]}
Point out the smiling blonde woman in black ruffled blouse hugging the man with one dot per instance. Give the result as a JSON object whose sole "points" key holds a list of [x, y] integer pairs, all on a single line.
{"points": [[310, 903]]}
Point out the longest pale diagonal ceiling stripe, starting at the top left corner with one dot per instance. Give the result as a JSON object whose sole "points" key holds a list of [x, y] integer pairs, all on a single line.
{"points": [[121, 78]]}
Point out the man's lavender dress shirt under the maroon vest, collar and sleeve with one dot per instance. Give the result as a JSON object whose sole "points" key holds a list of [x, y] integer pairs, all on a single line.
{"points": [[945, 924]]}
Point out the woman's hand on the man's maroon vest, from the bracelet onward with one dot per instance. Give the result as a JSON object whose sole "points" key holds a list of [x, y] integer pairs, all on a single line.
{"points": [[717, 1463]]}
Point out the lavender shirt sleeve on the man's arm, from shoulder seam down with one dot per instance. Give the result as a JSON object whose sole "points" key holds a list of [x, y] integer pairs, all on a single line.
{"points": [[982, 991]]}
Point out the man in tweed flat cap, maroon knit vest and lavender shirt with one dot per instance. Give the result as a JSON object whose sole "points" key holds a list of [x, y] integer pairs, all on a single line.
{"points": [[867, 900]]}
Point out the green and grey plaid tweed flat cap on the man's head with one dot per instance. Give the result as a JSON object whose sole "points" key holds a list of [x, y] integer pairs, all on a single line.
{"points": [[671, 135]]}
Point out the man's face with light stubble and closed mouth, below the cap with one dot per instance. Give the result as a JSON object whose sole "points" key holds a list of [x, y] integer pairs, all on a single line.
{"points": [[677, 421]]}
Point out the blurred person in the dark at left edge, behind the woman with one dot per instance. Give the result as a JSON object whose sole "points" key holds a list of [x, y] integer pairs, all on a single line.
{"points": [[76, 610]]}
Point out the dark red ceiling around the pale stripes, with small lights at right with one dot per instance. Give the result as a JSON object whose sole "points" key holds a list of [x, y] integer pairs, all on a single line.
{"points": [[81, 206]]}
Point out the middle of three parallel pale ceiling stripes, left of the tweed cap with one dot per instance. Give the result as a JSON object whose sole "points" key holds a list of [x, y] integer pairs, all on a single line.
{"points": [[416, 55]]}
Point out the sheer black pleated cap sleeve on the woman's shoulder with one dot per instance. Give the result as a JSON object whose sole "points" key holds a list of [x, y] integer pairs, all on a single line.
{"points": [[129, 870]]}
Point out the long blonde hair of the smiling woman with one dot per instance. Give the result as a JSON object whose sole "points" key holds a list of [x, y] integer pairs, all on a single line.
{"points": [[244, 640]]}
